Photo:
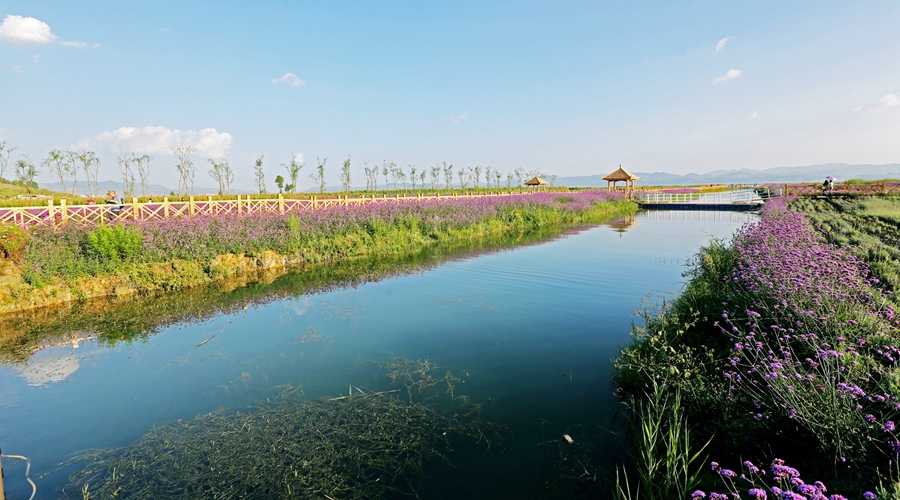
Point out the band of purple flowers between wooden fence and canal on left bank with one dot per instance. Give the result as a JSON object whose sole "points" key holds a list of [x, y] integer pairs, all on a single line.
{"points": [[320, 234]]}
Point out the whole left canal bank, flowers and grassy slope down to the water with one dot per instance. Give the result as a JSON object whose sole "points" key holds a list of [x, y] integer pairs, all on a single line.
{"points": [[73, 264]]}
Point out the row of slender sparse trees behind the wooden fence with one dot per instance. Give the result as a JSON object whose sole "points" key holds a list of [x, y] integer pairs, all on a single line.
{"points": [[135, 171]]}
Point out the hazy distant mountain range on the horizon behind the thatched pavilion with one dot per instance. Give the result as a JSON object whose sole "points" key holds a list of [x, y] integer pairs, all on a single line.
{"points": [[841, 171]]}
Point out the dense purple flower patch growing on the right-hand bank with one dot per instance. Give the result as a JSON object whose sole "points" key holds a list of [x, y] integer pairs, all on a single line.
{"points": [[815, 340]]}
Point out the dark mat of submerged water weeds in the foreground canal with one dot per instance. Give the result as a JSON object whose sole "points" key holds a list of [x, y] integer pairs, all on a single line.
{"points": [[361, 445]]}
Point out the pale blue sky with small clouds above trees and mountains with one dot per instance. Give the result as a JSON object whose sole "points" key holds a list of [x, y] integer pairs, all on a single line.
{"points": [[571, 88]]}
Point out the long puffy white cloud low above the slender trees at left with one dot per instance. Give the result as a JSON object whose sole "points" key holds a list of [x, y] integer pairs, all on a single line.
{"points": [[162, 140]]}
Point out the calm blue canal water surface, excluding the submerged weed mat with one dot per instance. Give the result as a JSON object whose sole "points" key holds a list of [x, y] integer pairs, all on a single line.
{"points": [[531, 331]]}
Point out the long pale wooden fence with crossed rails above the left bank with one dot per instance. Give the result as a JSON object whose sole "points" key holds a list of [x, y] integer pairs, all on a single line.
{"points": [[62, 214]]}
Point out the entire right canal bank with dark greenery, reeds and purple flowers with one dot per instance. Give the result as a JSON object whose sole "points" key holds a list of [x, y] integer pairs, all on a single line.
{"points": [[793, 342]]}
